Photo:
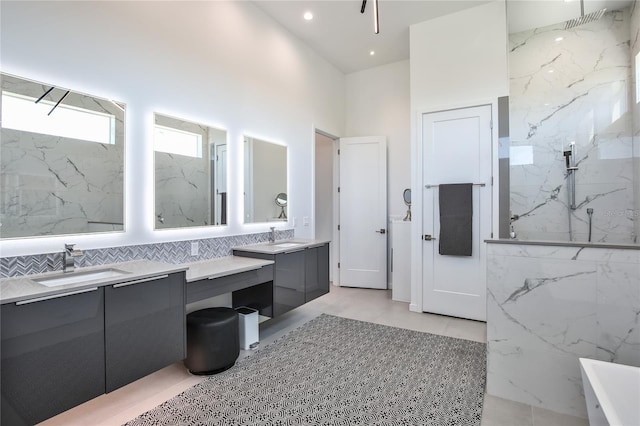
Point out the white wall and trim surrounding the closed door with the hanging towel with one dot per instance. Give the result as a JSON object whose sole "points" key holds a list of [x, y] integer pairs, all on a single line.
{"points": [[456, 60]]}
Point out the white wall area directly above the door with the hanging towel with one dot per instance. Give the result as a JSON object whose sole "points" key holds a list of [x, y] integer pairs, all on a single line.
{"points": [[459, 58]]}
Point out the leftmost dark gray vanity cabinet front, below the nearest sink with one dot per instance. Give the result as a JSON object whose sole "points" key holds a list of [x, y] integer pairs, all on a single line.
{"points": [[52, 355]]}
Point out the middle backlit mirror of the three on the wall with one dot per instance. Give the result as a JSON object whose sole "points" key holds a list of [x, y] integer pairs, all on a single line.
{"points": [[190, 174]]}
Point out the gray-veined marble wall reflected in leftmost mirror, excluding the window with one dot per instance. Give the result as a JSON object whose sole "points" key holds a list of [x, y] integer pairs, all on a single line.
{"points": [[55, 185]]}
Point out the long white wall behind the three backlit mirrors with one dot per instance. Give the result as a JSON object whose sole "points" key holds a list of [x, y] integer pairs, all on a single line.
{"points": [[224, 64]]}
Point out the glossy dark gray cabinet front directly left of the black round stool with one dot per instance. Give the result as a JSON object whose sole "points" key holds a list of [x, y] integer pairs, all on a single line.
{"points": [[144, 327]]}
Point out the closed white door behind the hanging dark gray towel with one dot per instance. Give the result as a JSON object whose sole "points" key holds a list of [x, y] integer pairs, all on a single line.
{"points": [[457, 149]]}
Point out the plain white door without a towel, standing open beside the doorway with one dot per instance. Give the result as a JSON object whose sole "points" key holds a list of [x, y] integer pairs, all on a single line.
{"points": [[363, 212]]}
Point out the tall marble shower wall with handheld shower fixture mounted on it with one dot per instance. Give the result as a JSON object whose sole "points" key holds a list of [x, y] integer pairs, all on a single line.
{"points": [[573, 86]]}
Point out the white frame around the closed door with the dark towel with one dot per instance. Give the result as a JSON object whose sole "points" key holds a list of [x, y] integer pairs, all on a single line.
{"points": [[417, 267]]}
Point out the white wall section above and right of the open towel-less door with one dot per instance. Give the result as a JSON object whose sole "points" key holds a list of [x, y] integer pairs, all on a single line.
{"points": [[378, 105]]}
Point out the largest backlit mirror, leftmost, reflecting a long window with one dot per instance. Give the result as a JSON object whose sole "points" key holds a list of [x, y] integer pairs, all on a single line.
{"points": [[62, 161]]}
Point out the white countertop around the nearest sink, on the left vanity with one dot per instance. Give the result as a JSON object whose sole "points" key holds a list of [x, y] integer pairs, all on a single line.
{"points": [[24, 288]]}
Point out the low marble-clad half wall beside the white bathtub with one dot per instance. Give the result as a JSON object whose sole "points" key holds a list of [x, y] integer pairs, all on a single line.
{"points": [[549, 305]]}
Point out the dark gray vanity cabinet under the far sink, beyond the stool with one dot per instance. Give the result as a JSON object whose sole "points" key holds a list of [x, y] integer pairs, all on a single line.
{"points": [[300, 275]]}
